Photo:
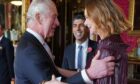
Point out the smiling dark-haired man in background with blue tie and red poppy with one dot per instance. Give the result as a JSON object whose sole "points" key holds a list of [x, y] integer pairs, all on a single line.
{"points": [[81, 34]]}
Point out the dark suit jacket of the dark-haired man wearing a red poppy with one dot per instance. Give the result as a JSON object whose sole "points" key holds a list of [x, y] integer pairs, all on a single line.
{"points": [[69, 55]]}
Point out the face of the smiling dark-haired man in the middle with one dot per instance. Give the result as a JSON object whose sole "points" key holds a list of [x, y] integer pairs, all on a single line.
{"points": [[80, 31]]}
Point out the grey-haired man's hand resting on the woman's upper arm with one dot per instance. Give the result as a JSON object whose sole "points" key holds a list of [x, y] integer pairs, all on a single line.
{"points": [[101, 68]]}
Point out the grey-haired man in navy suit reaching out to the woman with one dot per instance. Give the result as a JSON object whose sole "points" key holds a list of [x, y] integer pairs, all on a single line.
{"points": [[34, 62]]}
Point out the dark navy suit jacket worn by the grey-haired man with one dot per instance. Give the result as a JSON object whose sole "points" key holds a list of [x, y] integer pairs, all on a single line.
{"points": [[33, 64]]}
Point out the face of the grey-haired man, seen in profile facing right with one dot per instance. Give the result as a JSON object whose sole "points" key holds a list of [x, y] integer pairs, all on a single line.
{"points": [[50, 22]]}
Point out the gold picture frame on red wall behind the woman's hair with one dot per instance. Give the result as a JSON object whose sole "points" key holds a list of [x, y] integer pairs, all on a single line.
{"points": [[132, 17]]}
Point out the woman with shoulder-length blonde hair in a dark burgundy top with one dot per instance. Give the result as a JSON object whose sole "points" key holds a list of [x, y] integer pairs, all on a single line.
{"points": [[104, 18]]}
